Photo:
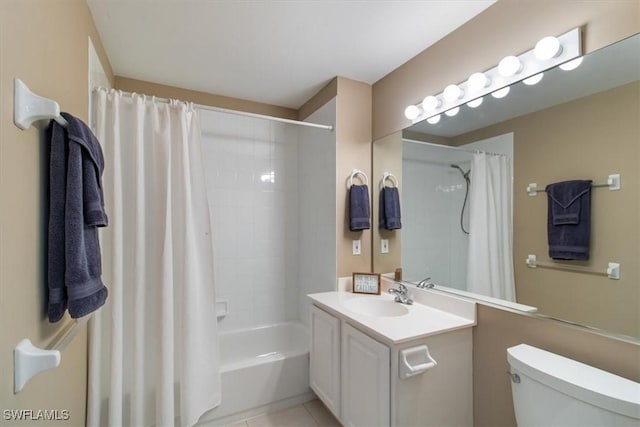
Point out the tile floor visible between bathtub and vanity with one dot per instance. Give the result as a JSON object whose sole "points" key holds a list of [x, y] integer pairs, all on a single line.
{"points": [[310, 414]]}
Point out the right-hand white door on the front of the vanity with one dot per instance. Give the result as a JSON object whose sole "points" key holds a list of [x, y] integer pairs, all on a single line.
{"points": [[365, 380]]}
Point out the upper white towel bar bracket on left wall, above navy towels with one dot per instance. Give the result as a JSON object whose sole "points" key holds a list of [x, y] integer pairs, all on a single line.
{"points": [[29, 107]]}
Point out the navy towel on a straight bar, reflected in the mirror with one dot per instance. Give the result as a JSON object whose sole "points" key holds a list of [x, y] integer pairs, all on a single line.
{"points": [[569, 219]]}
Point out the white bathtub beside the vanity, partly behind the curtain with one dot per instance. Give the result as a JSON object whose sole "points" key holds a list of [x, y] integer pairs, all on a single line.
{"points": [[262, 370]]}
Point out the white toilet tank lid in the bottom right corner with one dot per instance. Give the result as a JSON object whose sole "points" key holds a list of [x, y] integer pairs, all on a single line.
{"points": [[584, 382]]}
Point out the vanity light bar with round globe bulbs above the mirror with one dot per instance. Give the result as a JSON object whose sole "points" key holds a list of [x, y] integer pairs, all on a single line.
{"points": [[570, 47]]}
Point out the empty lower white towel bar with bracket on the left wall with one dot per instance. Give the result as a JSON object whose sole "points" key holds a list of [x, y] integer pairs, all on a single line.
{"points": [[29, 360]]}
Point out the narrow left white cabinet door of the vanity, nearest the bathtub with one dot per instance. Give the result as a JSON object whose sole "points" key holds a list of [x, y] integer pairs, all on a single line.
{"points": [[325, 358]]}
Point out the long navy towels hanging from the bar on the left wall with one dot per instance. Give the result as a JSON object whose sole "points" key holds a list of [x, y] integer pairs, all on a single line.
{"points": [[76, 209]]}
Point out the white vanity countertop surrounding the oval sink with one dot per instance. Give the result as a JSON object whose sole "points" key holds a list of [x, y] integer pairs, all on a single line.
{"points": [[421, 320]]}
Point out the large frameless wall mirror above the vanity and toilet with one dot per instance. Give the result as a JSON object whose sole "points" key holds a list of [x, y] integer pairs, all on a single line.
{"points": [[582, 124]]}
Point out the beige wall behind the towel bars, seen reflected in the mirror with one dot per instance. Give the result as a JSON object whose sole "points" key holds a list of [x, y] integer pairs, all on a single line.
{"points": [[588, 138]]}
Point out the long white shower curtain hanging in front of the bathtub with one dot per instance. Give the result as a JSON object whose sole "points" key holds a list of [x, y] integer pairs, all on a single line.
{"points": [[153, 348]]}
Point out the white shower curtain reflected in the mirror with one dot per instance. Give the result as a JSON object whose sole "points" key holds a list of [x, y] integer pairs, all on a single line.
{"points": [[490, 258]]}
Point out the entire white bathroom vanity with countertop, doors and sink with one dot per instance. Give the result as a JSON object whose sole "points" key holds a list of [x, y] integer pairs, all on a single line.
{"points": [[377, 362]]}
